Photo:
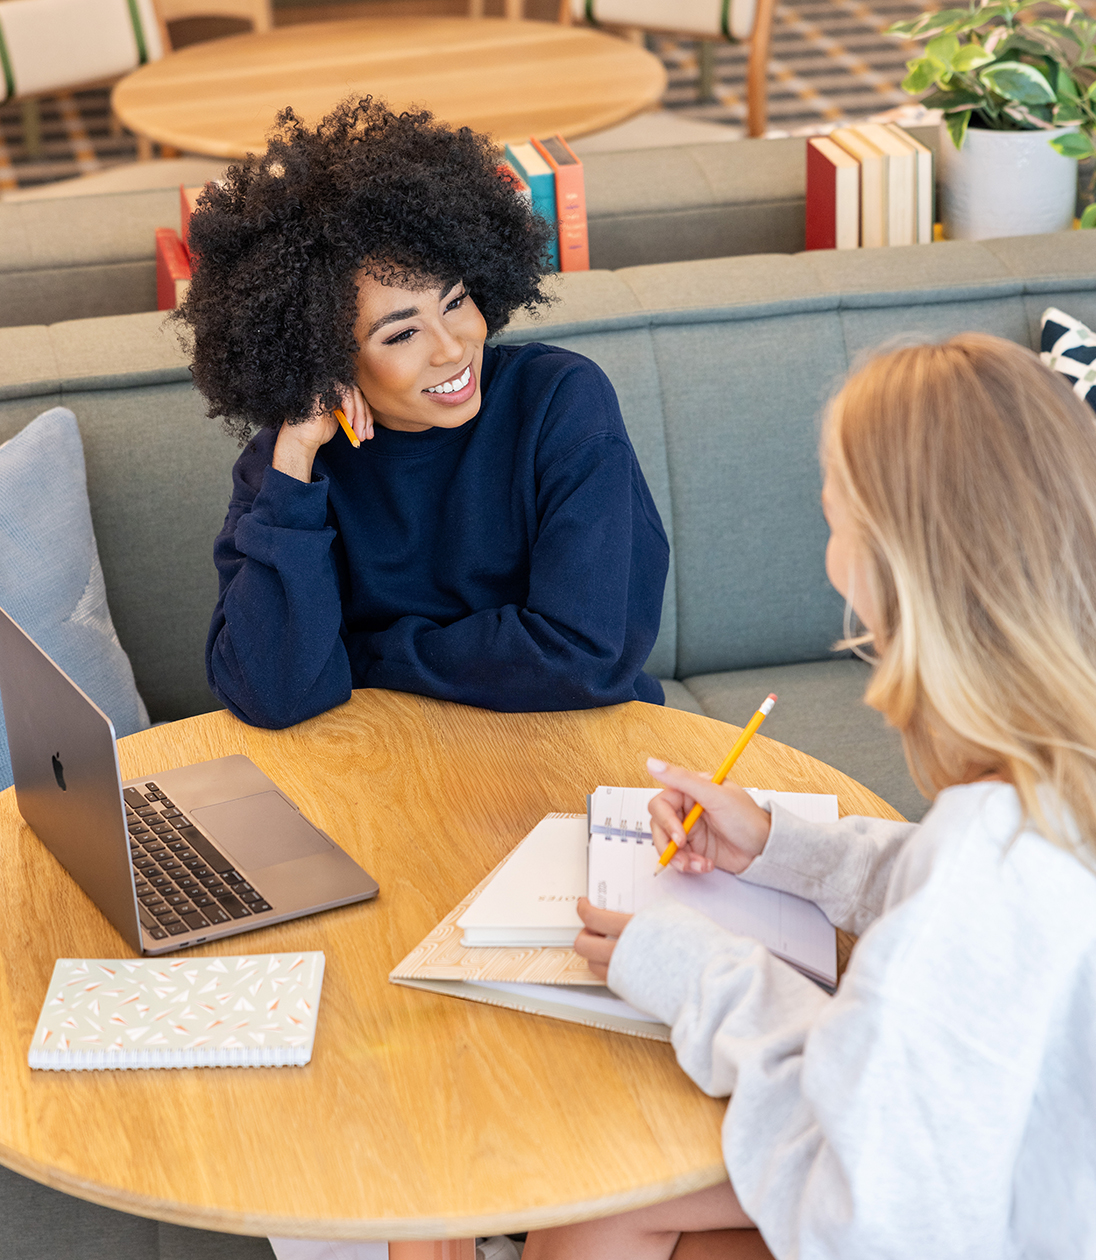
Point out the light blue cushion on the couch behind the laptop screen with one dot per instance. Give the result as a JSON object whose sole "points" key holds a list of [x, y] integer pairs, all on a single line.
{"points": [[51, 579]]}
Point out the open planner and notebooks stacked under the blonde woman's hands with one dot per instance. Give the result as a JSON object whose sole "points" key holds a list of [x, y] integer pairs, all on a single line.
{"points": [[508, 943]]}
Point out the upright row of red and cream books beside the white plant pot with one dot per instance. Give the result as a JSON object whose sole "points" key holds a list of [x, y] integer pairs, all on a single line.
{"points": [[869, 186]]}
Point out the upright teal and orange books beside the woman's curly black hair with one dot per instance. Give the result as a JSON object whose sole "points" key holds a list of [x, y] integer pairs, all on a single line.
{"points": [[551, 177]]}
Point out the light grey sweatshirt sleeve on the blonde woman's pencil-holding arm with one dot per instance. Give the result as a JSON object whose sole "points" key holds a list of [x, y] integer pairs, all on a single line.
{"points": [[843, 868]]}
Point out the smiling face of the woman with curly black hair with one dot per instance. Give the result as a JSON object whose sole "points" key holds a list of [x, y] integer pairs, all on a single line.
{"points": [[420, 355]]}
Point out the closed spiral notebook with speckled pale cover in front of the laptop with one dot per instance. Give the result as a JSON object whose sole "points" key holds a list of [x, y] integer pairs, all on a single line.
{"points": [[254, 1011]]}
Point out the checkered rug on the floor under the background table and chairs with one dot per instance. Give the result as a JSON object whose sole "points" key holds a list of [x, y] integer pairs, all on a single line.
{"points": [[831, 62]]}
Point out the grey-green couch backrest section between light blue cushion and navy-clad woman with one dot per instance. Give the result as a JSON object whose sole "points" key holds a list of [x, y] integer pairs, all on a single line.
{"points": [[159, 478]]}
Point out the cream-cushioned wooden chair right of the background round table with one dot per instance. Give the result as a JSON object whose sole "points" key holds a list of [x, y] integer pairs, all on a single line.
{"points": [[709, 21]]}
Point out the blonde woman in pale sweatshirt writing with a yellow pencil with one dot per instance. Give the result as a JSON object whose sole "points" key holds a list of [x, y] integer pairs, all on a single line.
{"points": [[943, 1103]]}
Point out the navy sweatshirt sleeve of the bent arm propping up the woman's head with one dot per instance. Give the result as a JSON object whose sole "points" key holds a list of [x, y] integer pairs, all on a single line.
{"points": [[275, 656]]}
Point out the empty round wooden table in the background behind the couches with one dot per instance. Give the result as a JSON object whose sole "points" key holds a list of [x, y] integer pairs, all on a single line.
{"points": [[512, 80]]}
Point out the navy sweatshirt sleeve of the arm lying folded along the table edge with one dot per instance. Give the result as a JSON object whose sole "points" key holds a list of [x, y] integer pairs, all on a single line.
{"points": [[597, 575]]}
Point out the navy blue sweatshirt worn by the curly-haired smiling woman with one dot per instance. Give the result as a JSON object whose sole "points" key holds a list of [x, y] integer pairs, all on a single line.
{"points": [[516, 564]]}
